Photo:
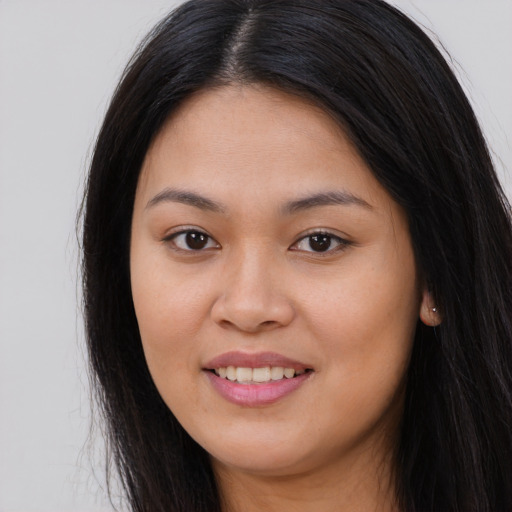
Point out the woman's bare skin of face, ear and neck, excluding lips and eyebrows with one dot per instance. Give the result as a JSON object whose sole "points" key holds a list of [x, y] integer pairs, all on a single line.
{"points": [[258, 285]]}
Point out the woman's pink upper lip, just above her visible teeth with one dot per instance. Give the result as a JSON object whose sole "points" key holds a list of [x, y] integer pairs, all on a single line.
{"points": [[254, 360]]}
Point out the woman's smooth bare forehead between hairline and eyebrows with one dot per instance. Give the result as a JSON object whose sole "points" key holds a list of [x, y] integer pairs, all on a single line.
{"points": [[241, 139]]}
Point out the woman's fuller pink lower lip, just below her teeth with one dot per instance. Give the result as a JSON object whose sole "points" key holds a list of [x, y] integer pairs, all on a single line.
{"points": [[254, 395]]}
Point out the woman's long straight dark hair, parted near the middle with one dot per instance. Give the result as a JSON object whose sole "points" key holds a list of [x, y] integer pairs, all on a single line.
{"points": [[384, 81]]}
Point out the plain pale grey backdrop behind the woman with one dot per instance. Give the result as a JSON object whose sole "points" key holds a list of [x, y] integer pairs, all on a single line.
{"points": [[59, 63]]}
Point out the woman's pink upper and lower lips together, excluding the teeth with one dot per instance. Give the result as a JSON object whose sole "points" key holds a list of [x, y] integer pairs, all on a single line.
{"points": [[254, 395]]}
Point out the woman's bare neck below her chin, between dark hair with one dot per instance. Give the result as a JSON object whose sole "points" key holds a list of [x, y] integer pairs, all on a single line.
{"points": [[363, 484]]}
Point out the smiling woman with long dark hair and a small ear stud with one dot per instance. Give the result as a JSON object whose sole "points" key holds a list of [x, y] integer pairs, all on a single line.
{"points": [[298, 268]]}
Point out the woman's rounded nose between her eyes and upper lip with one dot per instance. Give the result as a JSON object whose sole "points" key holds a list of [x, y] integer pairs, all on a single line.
{"points": [[251, 295]]}
